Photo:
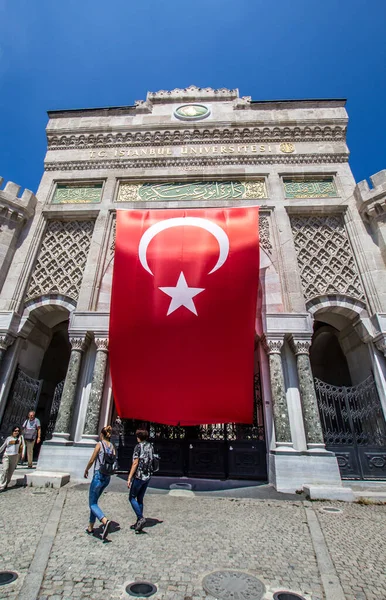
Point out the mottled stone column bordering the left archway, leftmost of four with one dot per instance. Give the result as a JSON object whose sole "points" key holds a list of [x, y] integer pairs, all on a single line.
{"points": [[66, 409]]}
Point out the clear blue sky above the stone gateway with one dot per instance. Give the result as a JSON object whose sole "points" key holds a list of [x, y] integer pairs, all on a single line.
{"points": [[87, 53]]}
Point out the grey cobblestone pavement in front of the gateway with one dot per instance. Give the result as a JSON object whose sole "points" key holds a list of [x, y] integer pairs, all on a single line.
{"points": [[189, 537]]}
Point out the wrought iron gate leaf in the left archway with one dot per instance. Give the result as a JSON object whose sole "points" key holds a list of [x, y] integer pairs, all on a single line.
{"points": [[23, 397]]}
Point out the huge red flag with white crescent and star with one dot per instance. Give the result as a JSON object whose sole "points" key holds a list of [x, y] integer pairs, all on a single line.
{"points": [[183, 311]]}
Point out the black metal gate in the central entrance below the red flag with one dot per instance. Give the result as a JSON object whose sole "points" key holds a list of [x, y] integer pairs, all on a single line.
{"points": [[220, 451]]}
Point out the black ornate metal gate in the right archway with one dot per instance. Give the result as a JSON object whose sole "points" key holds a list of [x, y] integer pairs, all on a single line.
{"points": [[354, 428]]}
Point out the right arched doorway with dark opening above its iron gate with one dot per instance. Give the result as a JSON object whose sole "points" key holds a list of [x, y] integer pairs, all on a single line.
{"points": [[351, 414]]}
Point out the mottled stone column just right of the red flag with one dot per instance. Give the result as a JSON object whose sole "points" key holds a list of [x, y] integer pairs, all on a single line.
{"points": [[279, 400]]}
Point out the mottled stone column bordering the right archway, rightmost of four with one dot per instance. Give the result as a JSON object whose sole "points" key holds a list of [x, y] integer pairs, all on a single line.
{"points": [[311, 418]]}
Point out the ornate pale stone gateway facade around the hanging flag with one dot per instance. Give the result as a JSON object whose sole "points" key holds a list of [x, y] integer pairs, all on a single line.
{"points": [[322, 260]]}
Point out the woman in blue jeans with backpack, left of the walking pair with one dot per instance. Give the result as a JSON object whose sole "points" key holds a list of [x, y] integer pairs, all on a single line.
{"points": [[104, 459]]}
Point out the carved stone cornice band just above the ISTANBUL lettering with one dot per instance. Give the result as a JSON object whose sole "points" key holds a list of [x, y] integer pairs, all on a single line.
{"points": [[176, 137]]}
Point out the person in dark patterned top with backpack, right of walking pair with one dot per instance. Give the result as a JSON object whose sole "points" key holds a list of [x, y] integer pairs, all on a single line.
{"points": [[139, 476]]}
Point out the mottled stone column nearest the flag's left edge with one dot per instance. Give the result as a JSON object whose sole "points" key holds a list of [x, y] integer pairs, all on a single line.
{"points": [[90, 431]]}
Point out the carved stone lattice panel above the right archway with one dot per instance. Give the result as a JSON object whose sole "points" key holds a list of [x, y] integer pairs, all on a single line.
{"points": [[325, 256]]}
